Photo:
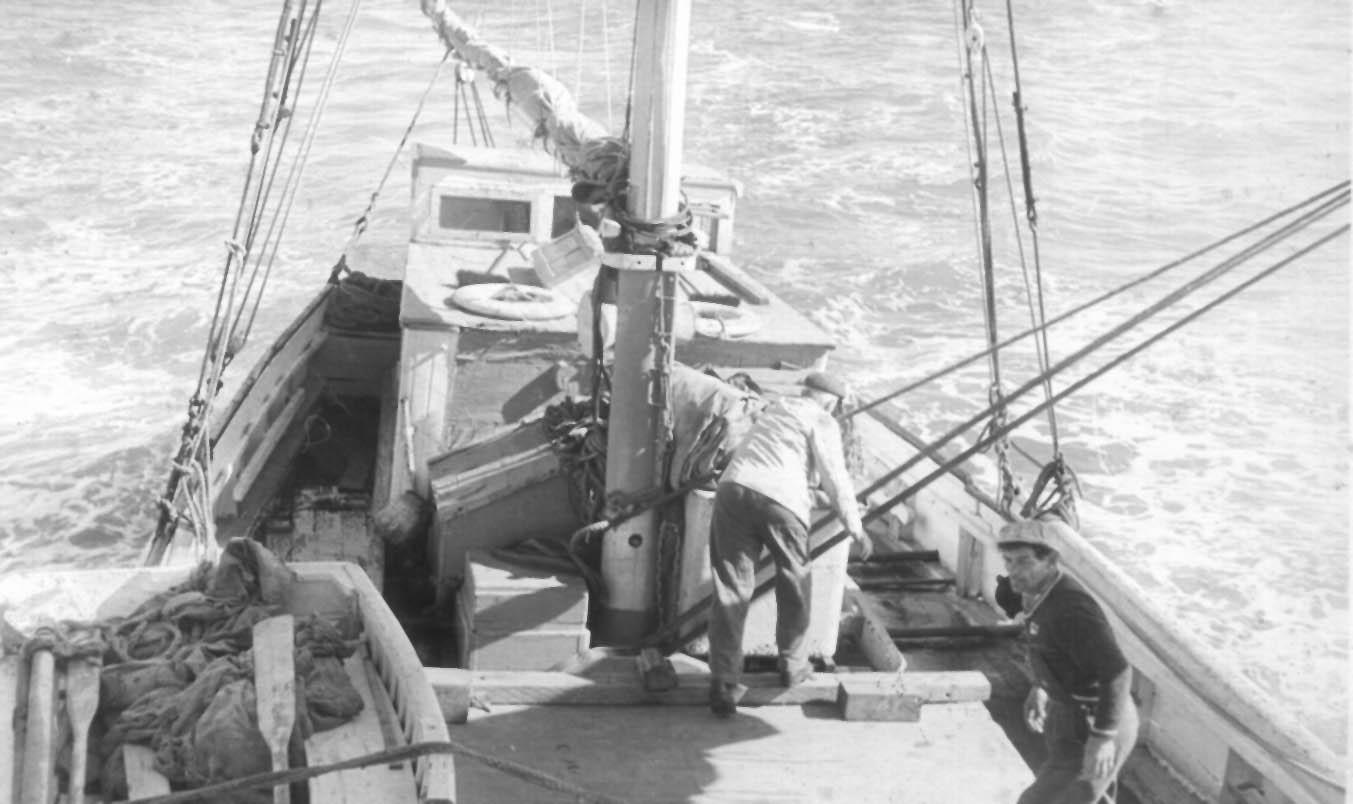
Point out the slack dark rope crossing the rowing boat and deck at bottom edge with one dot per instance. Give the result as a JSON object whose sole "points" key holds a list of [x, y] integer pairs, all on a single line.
{"points": [[390, 756]]}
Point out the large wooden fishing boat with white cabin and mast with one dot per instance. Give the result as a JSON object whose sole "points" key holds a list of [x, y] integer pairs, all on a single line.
{"points": [[421, 420]]}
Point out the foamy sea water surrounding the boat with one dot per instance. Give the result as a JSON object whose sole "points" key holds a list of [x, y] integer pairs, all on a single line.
{"points": [[1216, 465]]}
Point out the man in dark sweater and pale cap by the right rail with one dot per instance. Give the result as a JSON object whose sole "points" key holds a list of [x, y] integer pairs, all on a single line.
{"points": [[1082, 696]]}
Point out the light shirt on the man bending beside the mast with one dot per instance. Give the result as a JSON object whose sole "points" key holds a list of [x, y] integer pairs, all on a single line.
{"points": [[792, 441]]}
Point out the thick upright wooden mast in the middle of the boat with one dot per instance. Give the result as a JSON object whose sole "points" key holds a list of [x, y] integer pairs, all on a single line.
{"points": [[645, 298]]}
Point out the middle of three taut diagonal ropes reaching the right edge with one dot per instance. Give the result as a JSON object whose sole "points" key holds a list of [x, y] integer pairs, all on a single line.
{"points": [[1194, 285]]}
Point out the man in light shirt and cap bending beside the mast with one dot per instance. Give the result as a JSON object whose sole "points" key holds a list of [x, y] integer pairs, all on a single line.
{"points": [[764, 500]]}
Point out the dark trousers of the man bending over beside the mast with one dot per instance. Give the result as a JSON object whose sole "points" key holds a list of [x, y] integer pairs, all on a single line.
{"points": [[745, 523]]}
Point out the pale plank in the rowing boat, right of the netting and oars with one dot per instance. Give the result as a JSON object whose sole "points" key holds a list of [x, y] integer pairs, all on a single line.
{"points": [[359, 737]]}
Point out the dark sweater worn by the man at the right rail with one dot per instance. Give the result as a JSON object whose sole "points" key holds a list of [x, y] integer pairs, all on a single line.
{"points": [[1075, 653]]}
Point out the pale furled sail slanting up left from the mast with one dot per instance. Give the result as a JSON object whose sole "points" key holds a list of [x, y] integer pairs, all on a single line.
{"points": [[534, 94]]}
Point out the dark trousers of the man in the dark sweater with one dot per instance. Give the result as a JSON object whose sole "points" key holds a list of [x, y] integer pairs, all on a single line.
{"points": [[1065, 733]]}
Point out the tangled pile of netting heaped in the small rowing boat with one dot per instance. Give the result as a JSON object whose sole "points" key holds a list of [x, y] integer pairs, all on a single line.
{"points": [[178, 675]]}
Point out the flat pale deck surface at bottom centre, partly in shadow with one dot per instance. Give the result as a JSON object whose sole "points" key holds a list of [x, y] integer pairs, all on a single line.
{"points": [[800, 753]]}
